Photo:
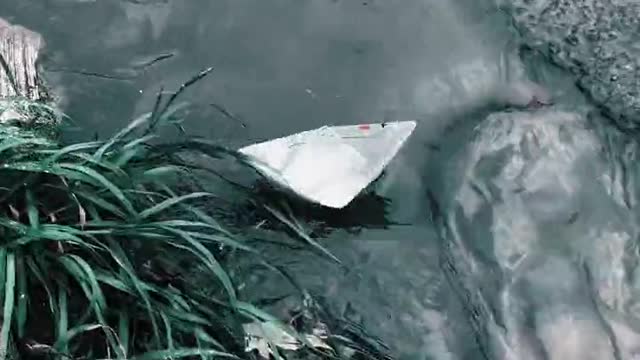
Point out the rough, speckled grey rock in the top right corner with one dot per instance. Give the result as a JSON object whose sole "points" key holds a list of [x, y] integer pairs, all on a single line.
{"points": [[597, 40]]}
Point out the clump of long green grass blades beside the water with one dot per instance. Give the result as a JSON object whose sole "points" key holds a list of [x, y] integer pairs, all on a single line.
{"points": [[99, 239]]}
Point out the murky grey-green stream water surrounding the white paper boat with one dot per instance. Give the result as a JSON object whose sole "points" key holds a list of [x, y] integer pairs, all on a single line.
{"points": [[518, 229]]}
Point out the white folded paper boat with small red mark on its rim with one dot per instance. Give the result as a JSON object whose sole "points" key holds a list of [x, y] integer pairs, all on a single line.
{"points": [[333, 164]]}
